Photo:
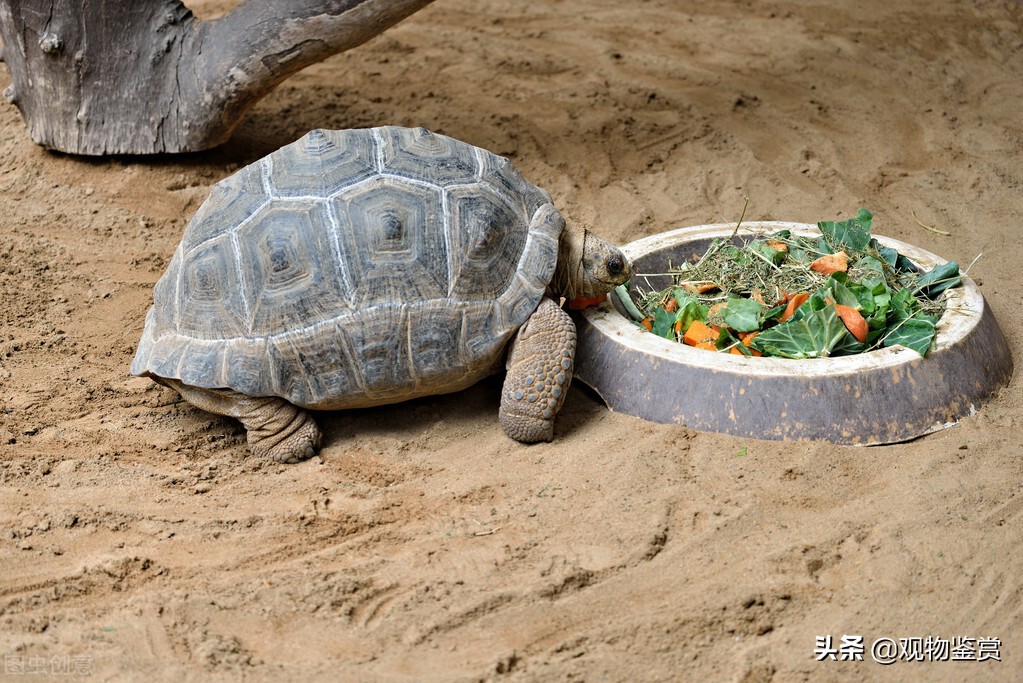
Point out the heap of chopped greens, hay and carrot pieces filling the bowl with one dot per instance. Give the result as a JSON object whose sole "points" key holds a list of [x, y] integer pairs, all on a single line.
{"points": [[852, 295]]}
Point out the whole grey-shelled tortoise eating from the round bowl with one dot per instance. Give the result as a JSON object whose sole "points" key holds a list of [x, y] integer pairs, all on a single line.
{"points": [[365, 267]]}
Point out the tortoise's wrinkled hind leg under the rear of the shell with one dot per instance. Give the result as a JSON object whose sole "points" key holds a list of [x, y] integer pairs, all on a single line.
{"points": [[275, 428]]}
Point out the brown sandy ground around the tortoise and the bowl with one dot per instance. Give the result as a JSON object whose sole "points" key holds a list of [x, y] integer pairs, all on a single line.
{"points": [[139, 540]]}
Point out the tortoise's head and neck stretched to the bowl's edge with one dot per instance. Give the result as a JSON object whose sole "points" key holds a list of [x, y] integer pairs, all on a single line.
{"points": [[588, 266]]}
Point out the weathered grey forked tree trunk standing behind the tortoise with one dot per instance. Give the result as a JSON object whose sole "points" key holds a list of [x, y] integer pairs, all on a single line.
{"points": [[142, 77]]}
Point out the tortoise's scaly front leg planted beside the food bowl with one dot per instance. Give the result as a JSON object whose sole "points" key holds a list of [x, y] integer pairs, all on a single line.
{"points": [[540, 371]]}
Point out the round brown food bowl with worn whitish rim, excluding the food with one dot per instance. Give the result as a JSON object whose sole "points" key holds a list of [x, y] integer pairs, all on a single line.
{"points": [[882, 397]]}
